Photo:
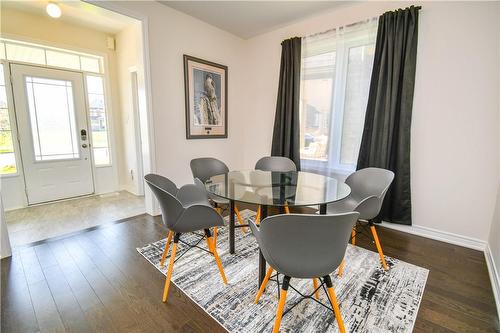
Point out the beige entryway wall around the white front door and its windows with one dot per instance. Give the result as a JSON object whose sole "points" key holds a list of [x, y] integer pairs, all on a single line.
{"points": [[47, 31]]}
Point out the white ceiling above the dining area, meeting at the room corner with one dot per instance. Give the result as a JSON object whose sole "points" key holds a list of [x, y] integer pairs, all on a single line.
{"points": [[248, 19]]}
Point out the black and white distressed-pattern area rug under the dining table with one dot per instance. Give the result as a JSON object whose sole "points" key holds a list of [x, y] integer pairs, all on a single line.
{"points": [[371, 300]]}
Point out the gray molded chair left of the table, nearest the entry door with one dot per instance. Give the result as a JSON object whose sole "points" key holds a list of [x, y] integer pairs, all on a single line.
{"points": [[187, 210]]}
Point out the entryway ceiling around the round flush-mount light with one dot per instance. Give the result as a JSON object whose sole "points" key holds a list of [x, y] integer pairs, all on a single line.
{"points": [[77, 12]]}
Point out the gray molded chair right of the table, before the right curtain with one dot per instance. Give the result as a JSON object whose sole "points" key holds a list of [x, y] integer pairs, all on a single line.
{"points": [[368, 189]]}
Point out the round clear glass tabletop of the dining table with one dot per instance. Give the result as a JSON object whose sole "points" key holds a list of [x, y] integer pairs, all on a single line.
{"points": [[277, 188]]}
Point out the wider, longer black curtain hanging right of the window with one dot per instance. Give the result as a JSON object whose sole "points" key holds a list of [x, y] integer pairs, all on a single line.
{"points": [[386, 136]]}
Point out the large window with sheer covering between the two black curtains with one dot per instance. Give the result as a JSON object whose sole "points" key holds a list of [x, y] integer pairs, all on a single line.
{"points": [[336, 70]]}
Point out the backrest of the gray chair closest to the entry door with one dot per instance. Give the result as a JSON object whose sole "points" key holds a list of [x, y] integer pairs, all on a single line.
{"points": [[171, 208]]}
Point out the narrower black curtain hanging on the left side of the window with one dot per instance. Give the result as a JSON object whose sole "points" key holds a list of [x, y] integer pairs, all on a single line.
{"points": [[286, 136]]}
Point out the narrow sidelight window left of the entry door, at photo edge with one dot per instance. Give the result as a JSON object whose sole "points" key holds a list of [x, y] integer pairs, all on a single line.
{"points": [[7, 156]]}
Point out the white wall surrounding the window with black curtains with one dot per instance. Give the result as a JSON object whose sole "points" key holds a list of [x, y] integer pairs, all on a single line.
{"points": [[455, 157]]}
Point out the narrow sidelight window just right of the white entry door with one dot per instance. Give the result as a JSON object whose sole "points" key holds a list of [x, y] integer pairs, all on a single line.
{"points": [[98, 121]]}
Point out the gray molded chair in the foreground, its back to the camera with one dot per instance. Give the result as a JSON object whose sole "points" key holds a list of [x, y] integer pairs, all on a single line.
{"points": [[304, 246]]}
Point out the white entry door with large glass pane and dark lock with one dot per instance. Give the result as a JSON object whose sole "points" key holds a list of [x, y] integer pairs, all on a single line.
{"points": [[53, 133]]}
